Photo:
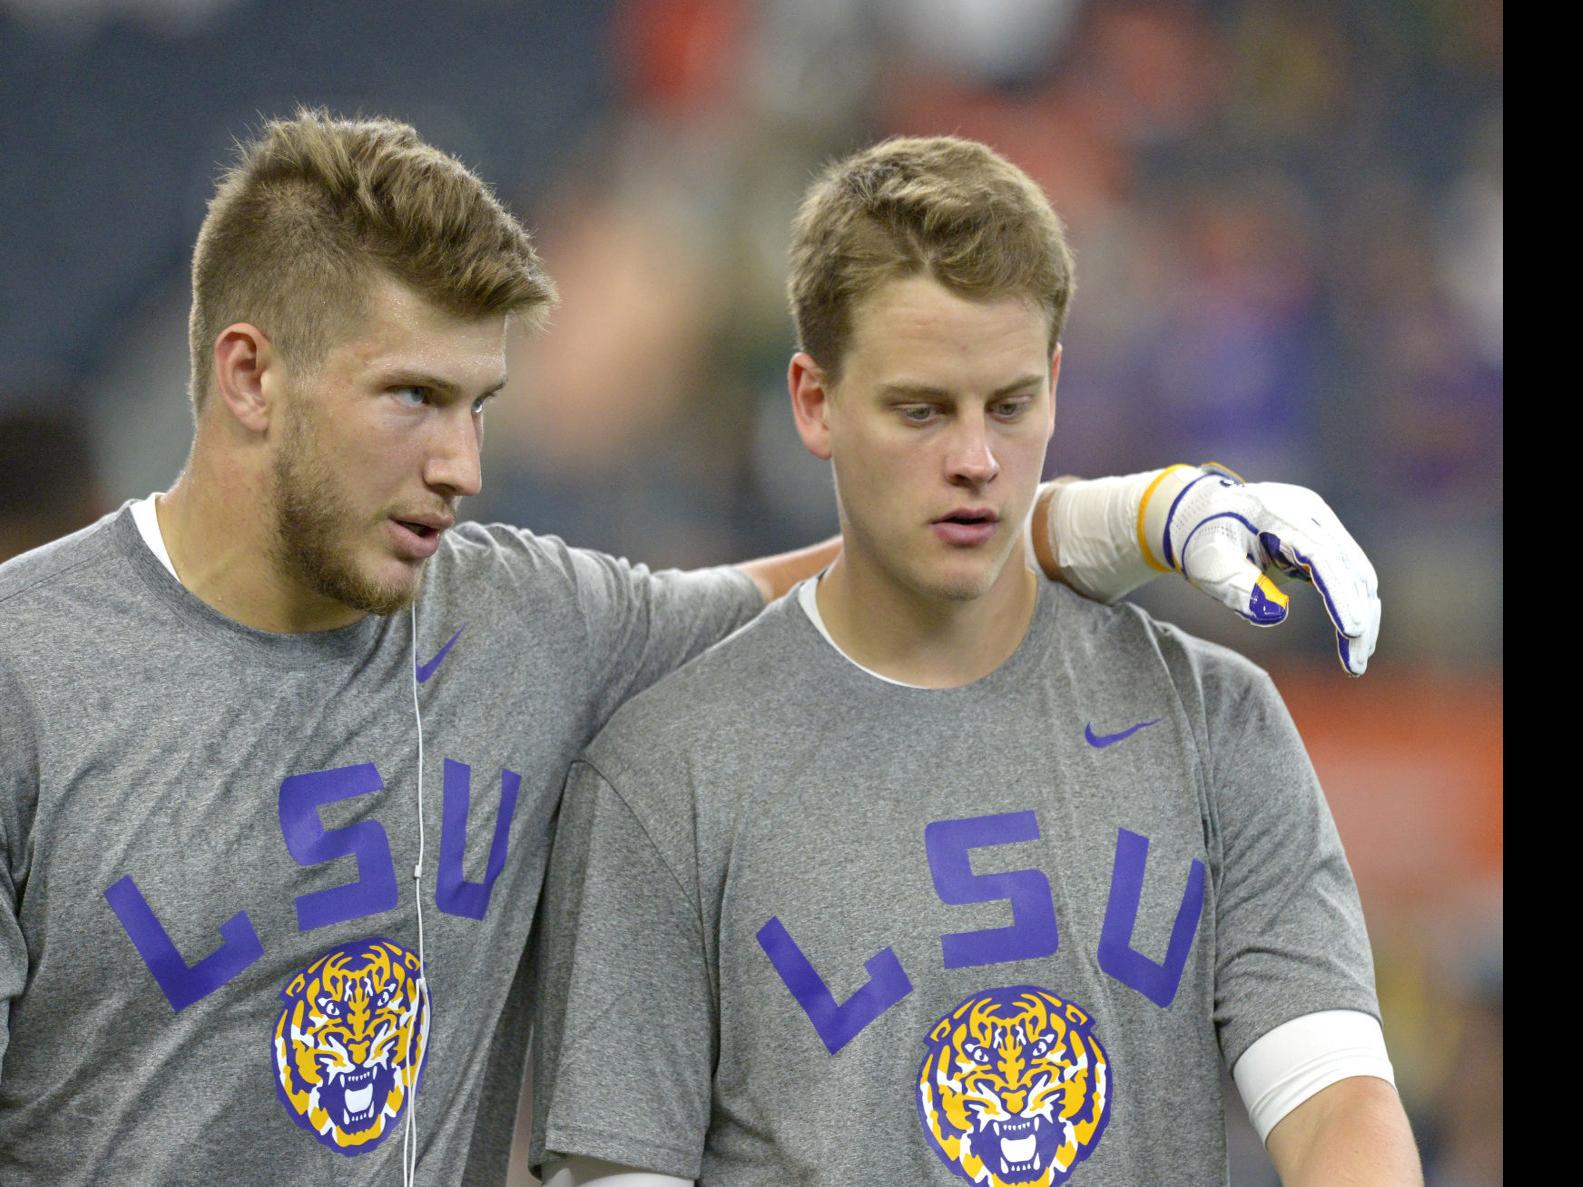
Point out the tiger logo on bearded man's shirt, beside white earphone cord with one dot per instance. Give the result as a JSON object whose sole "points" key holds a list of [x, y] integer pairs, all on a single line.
{"points": [[351, 1044]]}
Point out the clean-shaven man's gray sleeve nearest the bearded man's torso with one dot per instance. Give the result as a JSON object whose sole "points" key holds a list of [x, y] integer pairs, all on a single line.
{"points": [[626, 1031]]}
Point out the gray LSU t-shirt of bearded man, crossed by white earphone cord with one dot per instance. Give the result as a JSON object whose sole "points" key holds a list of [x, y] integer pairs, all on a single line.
{"points": [[208, 931]]}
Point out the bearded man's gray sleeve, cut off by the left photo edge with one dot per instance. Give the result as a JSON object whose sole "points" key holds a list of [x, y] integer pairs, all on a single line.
{"points": [[18, 794]]}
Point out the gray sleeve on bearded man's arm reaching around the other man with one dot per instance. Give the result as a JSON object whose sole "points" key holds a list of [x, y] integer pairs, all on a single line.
{"points": [[647, 624]]}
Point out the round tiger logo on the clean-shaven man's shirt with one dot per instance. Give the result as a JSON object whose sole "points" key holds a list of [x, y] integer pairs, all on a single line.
{"points": [[1015, 1088]]}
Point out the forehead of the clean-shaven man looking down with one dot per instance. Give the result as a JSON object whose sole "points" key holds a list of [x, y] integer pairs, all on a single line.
{"points": [[917, 332]]}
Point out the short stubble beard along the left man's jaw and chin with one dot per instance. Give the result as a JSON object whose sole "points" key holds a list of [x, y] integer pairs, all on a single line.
{"points": [[313, 525]]}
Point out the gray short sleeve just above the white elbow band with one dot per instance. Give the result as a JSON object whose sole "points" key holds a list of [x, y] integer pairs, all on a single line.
{"points": [[1289, 927]]}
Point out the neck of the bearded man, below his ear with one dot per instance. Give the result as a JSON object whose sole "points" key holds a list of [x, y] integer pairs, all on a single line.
{"points": [[218, 529]]}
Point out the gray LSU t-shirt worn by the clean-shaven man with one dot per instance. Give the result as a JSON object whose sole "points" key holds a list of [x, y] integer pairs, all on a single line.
{"points": [[807, 927]]}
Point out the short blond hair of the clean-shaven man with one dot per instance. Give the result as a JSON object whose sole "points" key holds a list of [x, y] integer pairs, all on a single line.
{"points": [[941, 207]]}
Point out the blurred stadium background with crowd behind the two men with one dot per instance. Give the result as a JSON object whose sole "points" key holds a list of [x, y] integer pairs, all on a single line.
{"points": [[1289, 232]]}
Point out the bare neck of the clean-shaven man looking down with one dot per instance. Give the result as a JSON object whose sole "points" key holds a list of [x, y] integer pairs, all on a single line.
{"points": [[930, 642]]}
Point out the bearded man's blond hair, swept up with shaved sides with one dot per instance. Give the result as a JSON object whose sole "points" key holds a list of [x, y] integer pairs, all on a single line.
{"points": [[316, 207]]}
